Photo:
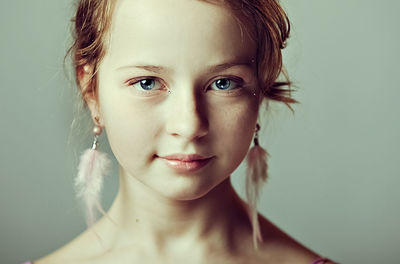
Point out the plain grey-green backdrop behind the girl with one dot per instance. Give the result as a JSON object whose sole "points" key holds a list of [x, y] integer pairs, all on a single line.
{"points": [[334, 165]]}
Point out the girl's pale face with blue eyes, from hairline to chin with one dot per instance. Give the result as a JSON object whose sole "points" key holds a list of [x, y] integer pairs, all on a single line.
{"points": [[178, 78]]}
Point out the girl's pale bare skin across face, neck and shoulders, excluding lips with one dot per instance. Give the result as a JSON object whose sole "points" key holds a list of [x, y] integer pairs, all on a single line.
{"points": [[160, 215]]}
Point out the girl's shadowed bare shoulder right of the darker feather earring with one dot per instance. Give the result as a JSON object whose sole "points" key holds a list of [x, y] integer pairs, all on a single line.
{"points": [[279, 247]]}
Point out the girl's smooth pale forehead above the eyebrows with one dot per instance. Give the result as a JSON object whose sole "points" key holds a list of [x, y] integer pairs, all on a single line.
{"points": [[176, 31]]}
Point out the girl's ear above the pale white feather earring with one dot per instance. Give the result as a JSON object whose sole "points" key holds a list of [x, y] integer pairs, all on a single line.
{"points": [[89, 92]]}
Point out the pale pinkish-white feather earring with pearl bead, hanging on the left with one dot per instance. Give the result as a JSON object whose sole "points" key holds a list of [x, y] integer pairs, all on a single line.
{"points": [[92, 167]]}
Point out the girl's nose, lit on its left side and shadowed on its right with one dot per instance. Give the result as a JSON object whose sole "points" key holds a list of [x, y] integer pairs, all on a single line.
{"points": [[187, 117]]}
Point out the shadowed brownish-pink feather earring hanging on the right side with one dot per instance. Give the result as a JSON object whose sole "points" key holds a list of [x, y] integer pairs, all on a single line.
{"points": [[256, 175]]}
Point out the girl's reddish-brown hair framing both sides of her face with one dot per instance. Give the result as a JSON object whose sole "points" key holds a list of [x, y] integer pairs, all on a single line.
{"points": [[264, 19]]}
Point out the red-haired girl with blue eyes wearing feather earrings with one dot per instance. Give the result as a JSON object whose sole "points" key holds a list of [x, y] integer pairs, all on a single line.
{"points": [[177, 85]]}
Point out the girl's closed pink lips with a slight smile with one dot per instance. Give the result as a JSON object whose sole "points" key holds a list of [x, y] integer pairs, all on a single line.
{"points": [[184, 163]]}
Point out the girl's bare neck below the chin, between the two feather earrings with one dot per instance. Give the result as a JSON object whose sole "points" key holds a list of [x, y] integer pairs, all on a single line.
{"points": [[216, 219]]}
